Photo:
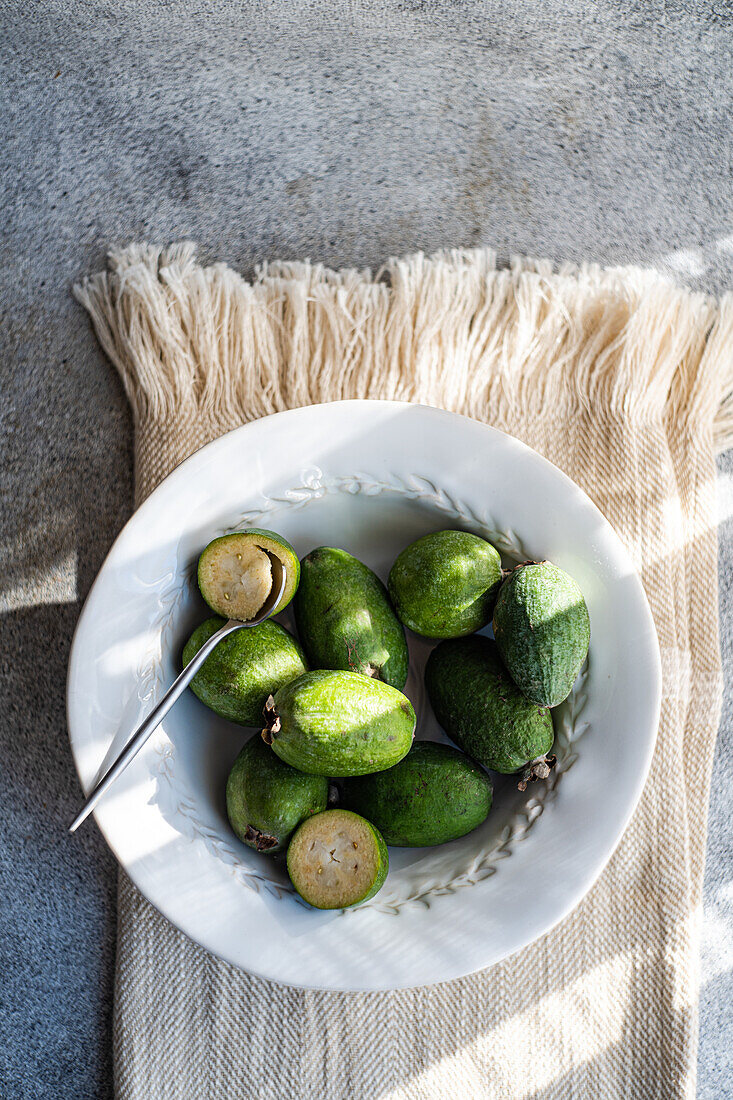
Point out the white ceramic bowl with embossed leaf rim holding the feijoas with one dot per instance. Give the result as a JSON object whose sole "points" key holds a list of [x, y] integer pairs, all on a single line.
{"points": [[369, 477]]}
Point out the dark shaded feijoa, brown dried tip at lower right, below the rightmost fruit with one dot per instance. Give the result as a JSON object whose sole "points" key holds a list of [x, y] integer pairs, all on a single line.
{"points": [[480, 708]]}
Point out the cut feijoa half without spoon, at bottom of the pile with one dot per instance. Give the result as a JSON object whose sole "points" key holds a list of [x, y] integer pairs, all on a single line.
{"points": [[337, 860]]}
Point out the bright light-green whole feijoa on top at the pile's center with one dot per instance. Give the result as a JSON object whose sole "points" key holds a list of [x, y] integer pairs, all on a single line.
{"points": [[340, 724]]}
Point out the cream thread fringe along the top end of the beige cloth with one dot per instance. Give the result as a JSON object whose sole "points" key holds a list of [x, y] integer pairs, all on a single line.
{"points": [[453, 331]]}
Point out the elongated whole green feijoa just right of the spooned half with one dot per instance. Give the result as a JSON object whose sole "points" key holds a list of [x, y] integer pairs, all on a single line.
{"points": [[346, 621]]}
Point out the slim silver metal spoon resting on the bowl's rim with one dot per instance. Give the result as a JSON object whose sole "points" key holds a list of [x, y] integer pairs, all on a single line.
{"points": [[177, 689]]}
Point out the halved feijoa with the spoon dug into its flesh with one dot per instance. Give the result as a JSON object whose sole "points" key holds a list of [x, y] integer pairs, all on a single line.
{"points": [[237, 571]]}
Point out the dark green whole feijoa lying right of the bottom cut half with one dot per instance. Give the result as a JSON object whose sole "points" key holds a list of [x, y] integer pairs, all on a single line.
{"points": [[434, 796]]}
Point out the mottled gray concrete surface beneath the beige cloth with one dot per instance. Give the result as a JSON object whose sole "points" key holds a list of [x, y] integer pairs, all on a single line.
{"points": [[340, 131]]}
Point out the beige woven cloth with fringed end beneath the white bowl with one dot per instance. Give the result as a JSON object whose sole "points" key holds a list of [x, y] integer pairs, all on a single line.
{"points": [[623, 381]]}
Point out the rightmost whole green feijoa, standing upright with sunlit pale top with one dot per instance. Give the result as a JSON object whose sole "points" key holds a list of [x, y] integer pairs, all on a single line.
{"points": [[543, 631]]}
